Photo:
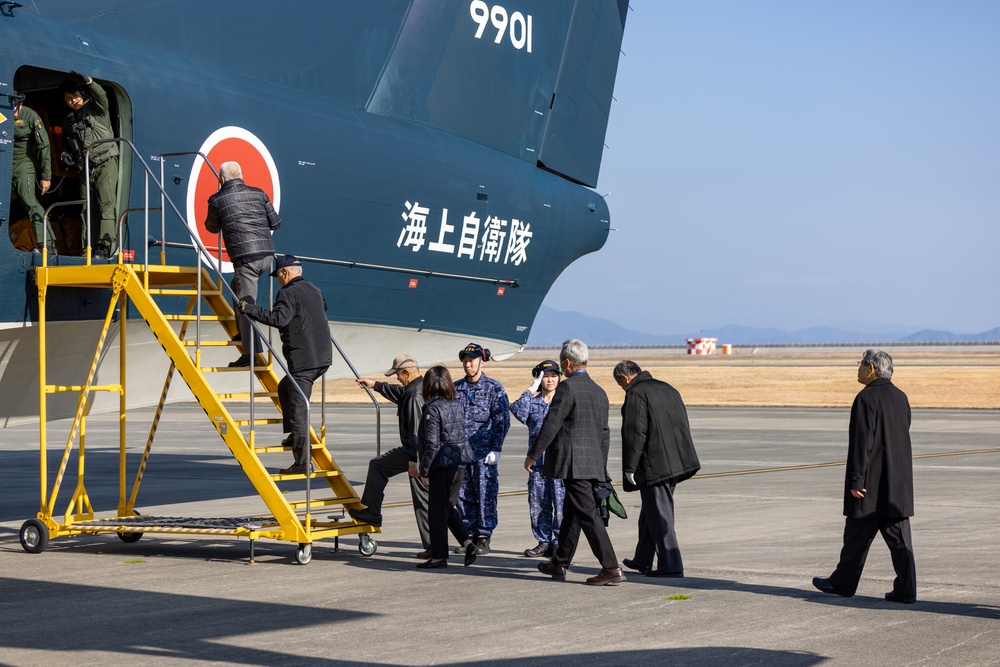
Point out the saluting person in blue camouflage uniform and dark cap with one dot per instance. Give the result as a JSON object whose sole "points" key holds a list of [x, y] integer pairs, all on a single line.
{"points": [[545, 494]]}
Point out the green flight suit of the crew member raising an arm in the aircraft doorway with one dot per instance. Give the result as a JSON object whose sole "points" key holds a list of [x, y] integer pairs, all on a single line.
{"points": [[82, 128]]}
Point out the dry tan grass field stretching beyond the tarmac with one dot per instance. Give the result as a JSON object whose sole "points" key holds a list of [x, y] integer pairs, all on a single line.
{"points": [[946, 378]]}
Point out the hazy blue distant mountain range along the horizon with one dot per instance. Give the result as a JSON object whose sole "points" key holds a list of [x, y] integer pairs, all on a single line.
{"points": [[552, 327]]}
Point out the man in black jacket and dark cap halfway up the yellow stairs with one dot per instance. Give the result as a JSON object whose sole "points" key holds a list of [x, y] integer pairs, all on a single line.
{"points": [[299, 313]]}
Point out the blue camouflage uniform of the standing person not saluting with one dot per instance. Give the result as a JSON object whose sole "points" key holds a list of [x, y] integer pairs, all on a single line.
{"points": [[486, 423]]}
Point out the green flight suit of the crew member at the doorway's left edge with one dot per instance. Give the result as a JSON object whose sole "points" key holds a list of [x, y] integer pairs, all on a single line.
{"points": [[32, 162]]}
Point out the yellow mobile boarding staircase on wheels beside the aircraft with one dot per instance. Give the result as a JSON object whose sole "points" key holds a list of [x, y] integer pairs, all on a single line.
{"points": [[293, 516]]}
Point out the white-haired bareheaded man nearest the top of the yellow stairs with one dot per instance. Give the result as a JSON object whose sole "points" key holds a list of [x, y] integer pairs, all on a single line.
{"points": [[246, 218]]}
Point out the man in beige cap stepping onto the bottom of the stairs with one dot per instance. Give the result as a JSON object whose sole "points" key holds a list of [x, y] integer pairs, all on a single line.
{"points": [[409, 400]]}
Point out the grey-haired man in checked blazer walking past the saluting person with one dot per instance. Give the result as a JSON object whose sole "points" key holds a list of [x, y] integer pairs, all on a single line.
{"points": [[577, 440]]}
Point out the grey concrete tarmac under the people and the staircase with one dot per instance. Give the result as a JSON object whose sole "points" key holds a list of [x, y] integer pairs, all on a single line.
{"points": [[751, 544]]}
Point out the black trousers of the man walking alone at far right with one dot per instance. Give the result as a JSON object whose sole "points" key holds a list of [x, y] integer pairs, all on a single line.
{"points": [[858, 536]]}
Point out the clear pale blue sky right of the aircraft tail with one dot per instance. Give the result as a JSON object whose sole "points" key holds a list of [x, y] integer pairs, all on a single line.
{"points": [[801, 163]]}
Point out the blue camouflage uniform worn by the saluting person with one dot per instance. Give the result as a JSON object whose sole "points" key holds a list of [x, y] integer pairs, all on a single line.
{"points": [[545, 495]]}
